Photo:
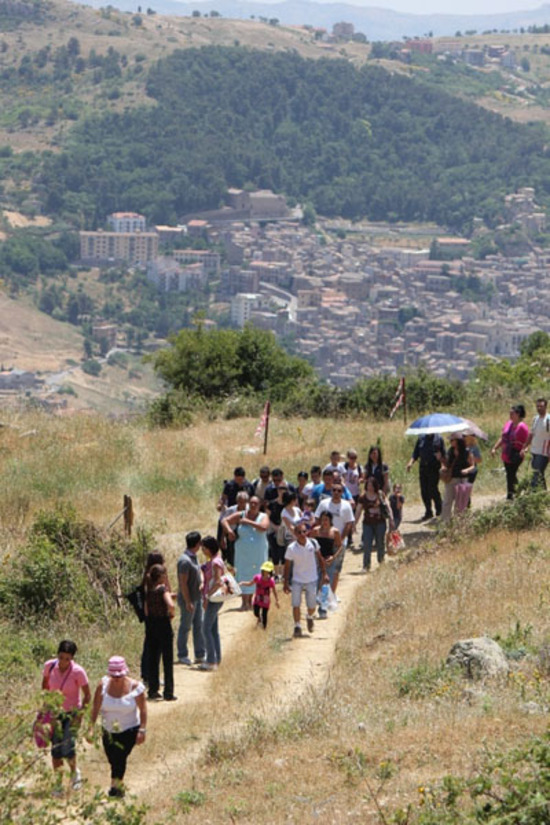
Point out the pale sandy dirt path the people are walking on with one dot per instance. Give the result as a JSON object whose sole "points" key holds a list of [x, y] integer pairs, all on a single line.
{"points": [[305, 664]]}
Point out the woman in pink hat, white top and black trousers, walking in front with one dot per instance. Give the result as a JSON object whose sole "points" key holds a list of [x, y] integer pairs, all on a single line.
{"points": [[121, 702]]}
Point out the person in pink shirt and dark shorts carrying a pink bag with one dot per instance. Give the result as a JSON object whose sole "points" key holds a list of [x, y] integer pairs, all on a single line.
{"points": [[64, 676]]}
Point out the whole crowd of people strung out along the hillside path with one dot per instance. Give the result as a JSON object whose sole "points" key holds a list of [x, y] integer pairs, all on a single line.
{"points": [[271, 533]]}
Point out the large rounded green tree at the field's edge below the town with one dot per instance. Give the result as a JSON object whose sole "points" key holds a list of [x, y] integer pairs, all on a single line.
{"points": [[216, 364]]}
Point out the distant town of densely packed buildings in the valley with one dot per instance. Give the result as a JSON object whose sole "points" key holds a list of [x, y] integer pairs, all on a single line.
{"points": [[353, 308]]}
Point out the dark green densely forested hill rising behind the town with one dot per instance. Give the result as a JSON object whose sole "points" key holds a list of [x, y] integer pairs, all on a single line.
{"points": [[352, 141]]}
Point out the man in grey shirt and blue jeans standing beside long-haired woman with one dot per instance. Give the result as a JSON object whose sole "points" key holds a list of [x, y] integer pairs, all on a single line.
{"points": [[190, 601]]}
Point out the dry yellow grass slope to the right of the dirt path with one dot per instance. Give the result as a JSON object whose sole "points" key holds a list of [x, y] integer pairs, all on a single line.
{"points": [[321, 756]]}
